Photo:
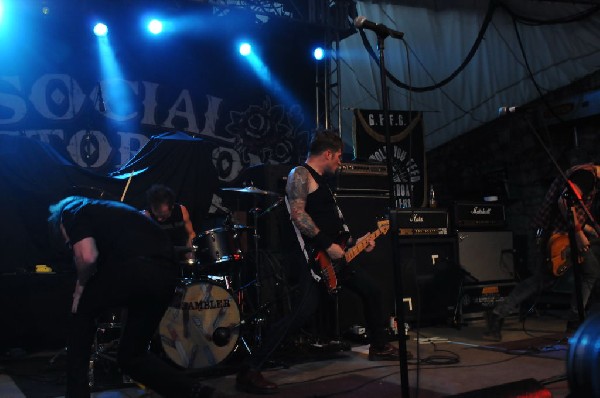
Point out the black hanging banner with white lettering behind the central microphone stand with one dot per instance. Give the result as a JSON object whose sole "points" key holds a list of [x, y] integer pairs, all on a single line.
{"points": [[407, 138]]}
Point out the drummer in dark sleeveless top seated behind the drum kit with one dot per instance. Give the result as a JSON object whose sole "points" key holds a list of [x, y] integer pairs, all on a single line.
{"points": [[173, 218]]}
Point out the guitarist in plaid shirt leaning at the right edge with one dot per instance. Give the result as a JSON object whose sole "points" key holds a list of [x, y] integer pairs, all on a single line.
{"points": [[552, 220]]}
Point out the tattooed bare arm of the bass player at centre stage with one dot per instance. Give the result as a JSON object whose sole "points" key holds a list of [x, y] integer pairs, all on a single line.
{"points": [[297, 190]]}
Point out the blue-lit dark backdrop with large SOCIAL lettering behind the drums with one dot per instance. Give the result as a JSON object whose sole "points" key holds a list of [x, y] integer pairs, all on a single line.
{"points": [[226, 112]]}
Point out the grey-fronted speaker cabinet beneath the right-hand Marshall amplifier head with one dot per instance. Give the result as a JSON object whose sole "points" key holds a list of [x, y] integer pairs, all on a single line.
{"points": [[486, 255]]}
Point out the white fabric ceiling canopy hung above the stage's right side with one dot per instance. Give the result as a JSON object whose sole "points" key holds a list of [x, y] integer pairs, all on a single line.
{"points": [[440, 35]]}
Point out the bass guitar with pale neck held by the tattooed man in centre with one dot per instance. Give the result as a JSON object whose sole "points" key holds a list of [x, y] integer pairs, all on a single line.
{"points": [[329, 269]]}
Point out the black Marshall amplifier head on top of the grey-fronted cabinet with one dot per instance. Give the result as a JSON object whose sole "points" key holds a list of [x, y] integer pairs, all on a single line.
{"points": [[478, 215]]}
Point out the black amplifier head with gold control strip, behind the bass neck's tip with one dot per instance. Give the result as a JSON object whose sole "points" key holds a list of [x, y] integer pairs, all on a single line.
{"points": [[419, 221]]}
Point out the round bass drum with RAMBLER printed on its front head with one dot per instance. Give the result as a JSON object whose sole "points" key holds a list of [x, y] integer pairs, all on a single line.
{"points": [[201, 327]]}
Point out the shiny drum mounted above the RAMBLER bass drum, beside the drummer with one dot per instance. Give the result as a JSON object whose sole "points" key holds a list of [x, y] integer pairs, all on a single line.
{"points": [[217, 246]]}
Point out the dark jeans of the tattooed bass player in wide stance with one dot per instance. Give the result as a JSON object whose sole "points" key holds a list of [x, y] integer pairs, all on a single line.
{"points": [[305, 302]]}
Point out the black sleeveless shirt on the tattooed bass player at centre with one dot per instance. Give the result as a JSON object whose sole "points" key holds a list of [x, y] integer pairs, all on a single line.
{"points": [[323, 209]]}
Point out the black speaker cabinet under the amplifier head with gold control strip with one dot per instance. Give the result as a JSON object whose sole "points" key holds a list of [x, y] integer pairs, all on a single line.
{"points": [[430, 278]]}
